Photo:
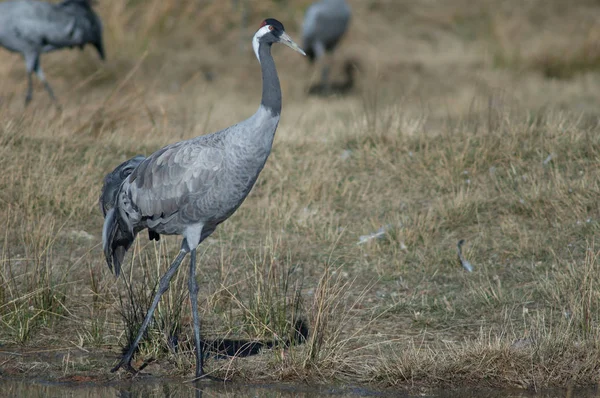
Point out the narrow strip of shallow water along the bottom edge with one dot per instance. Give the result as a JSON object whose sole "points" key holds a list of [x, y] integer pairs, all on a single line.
{"points": [[163, 389]]}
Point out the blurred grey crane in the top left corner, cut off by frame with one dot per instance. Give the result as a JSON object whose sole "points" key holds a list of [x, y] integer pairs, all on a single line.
{"points": [[33, 27]]}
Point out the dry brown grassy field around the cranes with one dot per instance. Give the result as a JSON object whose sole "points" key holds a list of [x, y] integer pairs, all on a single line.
{"points": [[476, 122]]}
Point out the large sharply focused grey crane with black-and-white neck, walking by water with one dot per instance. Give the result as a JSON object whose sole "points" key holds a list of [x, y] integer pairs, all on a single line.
{"points": [[190, 187]]}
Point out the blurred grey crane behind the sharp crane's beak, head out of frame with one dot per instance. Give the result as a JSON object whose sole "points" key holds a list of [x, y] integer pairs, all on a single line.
{"points": [[325, 23]]}
